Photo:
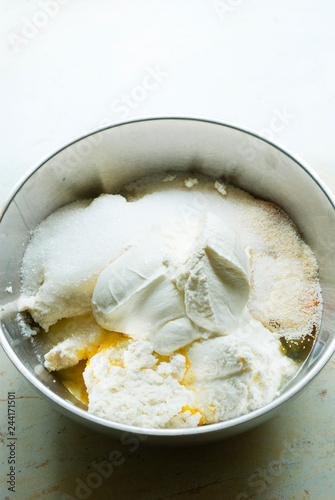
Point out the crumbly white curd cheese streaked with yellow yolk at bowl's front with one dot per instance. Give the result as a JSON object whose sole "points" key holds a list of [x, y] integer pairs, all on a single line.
{"points": [[211, 380]]}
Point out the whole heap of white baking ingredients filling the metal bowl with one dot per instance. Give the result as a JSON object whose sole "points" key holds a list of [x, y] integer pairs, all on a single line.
{"points": [[178, 294]]}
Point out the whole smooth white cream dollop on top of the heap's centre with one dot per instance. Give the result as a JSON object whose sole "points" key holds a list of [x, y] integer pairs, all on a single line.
{"points": [[145, 295]]}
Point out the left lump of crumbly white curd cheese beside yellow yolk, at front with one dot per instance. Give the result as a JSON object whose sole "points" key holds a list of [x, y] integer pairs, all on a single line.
{"points": [[145, 392]]}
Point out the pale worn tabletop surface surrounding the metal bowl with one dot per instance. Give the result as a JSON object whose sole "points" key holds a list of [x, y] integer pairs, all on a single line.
{"points": [[68, 66]]}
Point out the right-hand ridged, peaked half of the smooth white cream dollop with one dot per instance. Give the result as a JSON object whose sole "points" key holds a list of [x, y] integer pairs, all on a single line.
{"points": [[217, 286]]}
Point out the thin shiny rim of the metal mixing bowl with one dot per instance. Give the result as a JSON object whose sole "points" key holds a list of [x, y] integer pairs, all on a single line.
{"points": [[206, 429]]}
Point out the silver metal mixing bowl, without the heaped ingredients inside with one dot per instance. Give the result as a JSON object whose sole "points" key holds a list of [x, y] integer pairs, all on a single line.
{"points": [[106, 160]]}
